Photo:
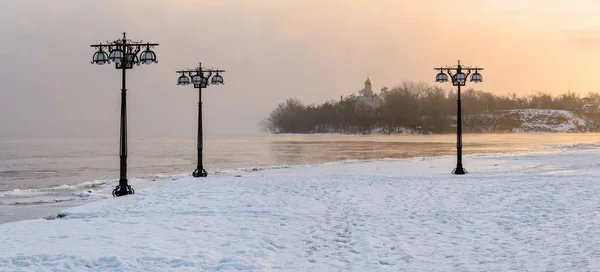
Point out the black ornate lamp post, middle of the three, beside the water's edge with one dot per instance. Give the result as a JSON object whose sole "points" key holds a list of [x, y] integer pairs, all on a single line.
{"points": [[200, 78]]}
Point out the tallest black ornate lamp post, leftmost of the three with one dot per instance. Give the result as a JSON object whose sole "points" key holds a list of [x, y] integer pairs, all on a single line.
{"points": [[124, 54]]}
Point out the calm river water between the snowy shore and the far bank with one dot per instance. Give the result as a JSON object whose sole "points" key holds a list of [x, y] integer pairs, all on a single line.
{"points": [[45, 163]]}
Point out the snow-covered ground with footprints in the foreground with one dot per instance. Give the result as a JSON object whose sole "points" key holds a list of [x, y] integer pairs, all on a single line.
{"points": [[533, 212]]}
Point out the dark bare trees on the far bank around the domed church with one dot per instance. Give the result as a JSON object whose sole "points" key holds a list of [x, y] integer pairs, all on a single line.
{"points": [[410, 106]]}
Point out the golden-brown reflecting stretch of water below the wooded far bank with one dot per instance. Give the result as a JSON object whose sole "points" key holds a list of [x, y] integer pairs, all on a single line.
{"points": [[318, 149]]}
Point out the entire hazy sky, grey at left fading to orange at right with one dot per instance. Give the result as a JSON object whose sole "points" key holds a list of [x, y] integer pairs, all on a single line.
{"points": [[272, 50]]}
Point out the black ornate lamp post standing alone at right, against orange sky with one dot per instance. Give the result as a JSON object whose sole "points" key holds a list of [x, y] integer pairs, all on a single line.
{"points": [[459, 78]]}
